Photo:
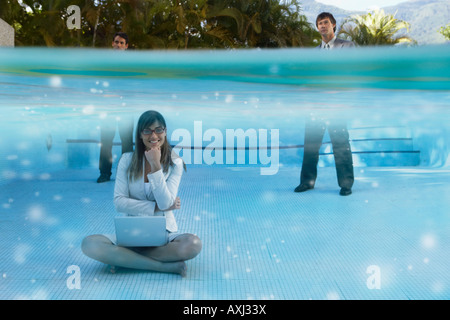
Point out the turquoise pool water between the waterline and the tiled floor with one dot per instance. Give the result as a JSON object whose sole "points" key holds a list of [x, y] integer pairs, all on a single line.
{"points": [[395, 101]]}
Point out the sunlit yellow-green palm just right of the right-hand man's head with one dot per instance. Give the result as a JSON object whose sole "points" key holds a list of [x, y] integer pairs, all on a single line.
{"points": [[375, 28]]}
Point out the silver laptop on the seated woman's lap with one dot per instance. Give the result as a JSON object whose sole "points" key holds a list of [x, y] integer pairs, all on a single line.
{"points": [[141, 231]]}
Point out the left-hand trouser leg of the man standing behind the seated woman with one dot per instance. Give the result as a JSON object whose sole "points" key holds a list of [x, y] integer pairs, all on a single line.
{"points": [[107, 132]]}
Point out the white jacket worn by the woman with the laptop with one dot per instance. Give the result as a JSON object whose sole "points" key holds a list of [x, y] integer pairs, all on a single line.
{"points": [[131, 198]]}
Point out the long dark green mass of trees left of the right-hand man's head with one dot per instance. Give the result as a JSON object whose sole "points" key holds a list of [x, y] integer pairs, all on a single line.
{"points": [[161, 24]]}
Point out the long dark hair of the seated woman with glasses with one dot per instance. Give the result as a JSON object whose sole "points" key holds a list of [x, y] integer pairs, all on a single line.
{"points": [[145, 121]]}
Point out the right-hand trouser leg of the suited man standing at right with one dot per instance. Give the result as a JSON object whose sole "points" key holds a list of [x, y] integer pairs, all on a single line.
{"points": [[342, 156]]}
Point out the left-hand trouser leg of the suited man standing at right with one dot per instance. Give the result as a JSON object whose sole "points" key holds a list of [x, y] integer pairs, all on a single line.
{"points": [[314, 131]]}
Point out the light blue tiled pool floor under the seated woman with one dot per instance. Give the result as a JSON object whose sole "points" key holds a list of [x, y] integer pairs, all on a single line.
{"points": [[388, 240]]}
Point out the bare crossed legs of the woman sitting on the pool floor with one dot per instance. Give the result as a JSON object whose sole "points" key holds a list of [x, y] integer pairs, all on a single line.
{"points": [[169, 258]]}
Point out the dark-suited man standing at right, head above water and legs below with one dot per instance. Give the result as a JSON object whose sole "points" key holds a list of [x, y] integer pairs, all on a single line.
{"points": [[337, 129]]}
